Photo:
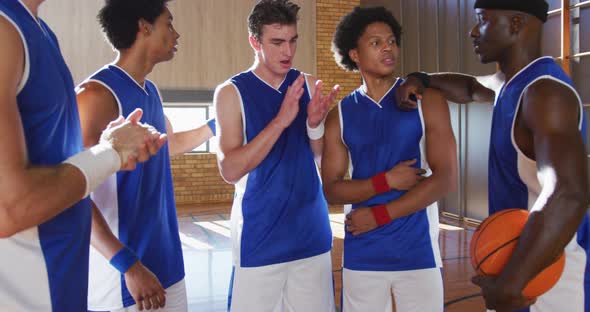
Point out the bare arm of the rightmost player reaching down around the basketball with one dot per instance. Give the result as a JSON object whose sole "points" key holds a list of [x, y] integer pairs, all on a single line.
{"points": [[547, 131]]}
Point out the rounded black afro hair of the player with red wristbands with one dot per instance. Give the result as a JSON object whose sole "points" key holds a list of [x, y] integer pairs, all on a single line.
{"points": [[352, 27]]}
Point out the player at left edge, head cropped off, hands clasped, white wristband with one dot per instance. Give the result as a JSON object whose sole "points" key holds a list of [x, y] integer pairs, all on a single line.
{"points": [[44, 220]]}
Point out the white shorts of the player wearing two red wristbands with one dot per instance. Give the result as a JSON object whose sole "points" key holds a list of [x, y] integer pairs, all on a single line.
{"points": [[414, 291]]}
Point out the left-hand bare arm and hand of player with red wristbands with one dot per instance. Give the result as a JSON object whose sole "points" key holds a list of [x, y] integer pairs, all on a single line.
{"points": [[339, 190]]}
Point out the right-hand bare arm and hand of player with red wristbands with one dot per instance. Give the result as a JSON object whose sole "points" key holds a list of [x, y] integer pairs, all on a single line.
{"points": [[441, 154]]}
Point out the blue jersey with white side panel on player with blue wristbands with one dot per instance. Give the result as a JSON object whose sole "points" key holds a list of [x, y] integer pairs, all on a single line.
{"points": [[139, 205]]}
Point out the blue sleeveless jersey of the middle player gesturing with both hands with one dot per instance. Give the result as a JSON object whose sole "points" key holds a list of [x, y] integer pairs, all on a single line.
{"points": [[279, 212]]}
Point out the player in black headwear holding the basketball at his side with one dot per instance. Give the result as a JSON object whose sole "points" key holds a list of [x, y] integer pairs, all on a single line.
{"points": [[537, 156]]}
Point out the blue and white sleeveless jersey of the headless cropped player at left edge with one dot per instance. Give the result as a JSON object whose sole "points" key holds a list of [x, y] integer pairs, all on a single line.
{"points": [[45, 268]]}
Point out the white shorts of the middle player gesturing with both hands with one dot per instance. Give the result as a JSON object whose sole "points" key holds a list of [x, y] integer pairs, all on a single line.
{"points": [[296, 286]]}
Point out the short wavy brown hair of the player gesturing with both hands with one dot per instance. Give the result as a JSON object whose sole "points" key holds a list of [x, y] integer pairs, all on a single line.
{"points": [[268, 12]]}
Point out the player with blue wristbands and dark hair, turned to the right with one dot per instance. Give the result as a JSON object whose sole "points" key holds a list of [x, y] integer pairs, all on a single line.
{"points": [[136, 261]]}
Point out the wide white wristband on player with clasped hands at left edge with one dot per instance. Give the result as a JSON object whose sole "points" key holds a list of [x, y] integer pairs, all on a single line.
{"points": [[97, 164]]}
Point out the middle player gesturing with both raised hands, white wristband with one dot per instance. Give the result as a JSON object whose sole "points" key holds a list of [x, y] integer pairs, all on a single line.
{"points": [[280, 227]]}
